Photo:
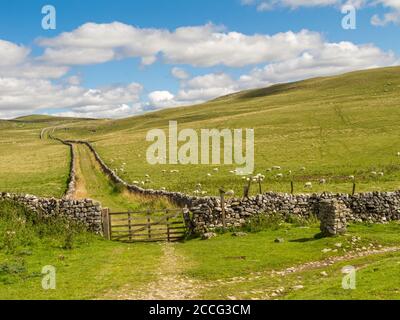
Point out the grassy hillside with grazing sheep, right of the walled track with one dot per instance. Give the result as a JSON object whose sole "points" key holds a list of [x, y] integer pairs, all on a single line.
{"points": [[334, 127]]}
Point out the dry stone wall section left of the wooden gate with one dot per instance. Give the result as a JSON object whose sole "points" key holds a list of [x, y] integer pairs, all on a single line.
{"points": [[85, 211]]}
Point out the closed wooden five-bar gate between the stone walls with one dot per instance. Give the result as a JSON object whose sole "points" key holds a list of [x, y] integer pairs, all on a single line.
{"points": [[145, 226]]}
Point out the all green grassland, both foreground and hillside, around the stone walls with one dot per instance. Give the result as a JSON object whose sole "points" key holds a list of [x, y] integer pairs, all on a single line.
{"points": [[334, 127]]}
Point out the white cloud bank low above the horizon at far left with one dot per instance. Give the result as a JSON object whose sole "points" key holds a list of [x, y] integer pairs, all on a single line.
{"points": [[19, 96]]}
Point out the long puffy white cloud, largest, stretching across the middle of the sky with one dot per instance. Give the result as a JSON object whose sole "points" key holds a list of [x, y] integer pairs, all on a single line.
{"points": [[200, 46]]}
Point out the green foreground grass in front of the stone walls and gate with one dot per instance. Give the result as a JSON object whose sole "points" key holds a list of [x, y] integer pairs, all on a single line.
{"points": [[226, 267]]}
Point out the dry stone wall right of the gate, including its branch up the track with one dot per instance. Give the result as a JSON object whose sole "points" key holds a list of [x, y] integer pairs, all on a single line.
{"points": [[373, 207]]}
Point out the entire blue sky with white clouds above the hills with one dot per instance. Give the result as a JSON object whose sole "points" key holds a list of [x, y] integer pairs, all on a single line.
{"points": [[131, 58]]}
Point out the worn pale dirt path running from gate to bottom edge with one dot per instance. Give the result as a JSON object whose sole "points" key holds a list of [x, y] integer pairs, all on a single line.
{"points": [[170, 283]]}
